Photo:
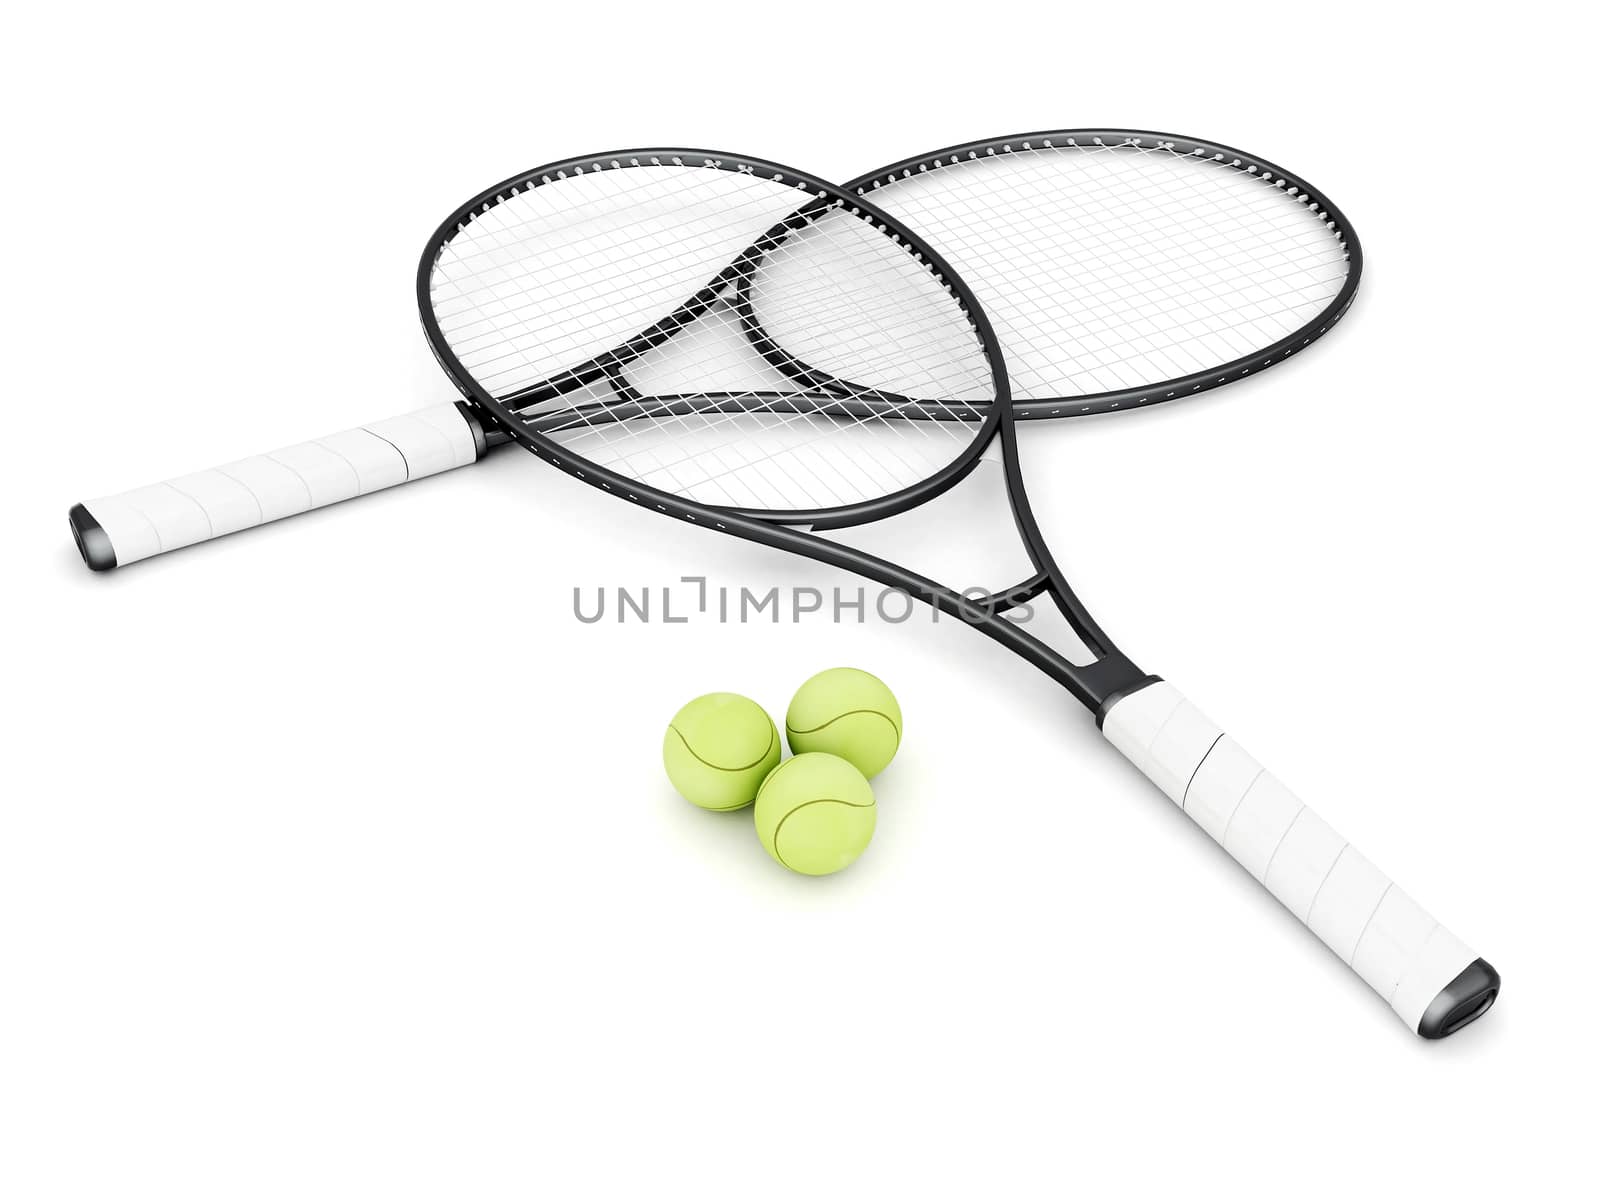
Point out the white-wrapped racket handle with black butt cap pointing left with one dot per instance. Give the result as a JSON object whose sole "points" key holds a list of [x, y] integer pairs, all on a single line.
{"points": [[145, 522]]}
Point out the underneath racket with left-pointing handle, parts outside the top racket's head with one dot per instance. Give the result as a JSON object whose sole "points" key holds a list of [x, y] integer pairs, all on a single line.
{"points": [[1121, 268]]}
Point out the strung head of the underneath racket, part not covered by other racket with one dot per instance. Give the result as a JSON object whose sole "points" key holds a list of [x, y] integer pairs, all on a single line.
{"points": [[1110, 265]]}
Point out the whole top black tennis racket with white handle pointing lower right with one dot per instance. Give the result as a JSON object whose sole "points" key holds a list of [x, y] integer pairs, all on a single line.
{"points": [[742, 346]]}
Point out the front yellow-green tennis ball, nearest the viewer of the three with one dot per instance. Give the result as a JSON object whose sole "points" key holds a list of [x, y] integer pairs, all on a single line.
{"points": [[815, 814]]}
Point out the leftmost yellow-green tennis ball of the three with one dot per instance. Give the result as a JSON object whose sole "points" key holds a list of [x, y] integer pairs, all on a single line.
{"points": [[719, 750]]}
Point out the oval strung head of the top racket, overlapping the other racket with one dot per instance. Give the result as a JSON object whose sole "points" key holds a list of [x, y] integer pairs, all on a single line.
{"points": [[558, 300]]}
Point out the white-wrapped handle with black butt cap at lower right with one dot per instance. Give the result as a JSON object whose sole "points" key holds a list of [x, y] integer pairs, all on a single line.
{"points": [[1415, 964]]}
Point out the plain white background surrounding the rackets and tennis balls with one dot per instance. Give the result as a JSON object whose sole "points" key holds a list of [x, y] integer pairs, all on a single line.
{"points": [[337, 858]]}
